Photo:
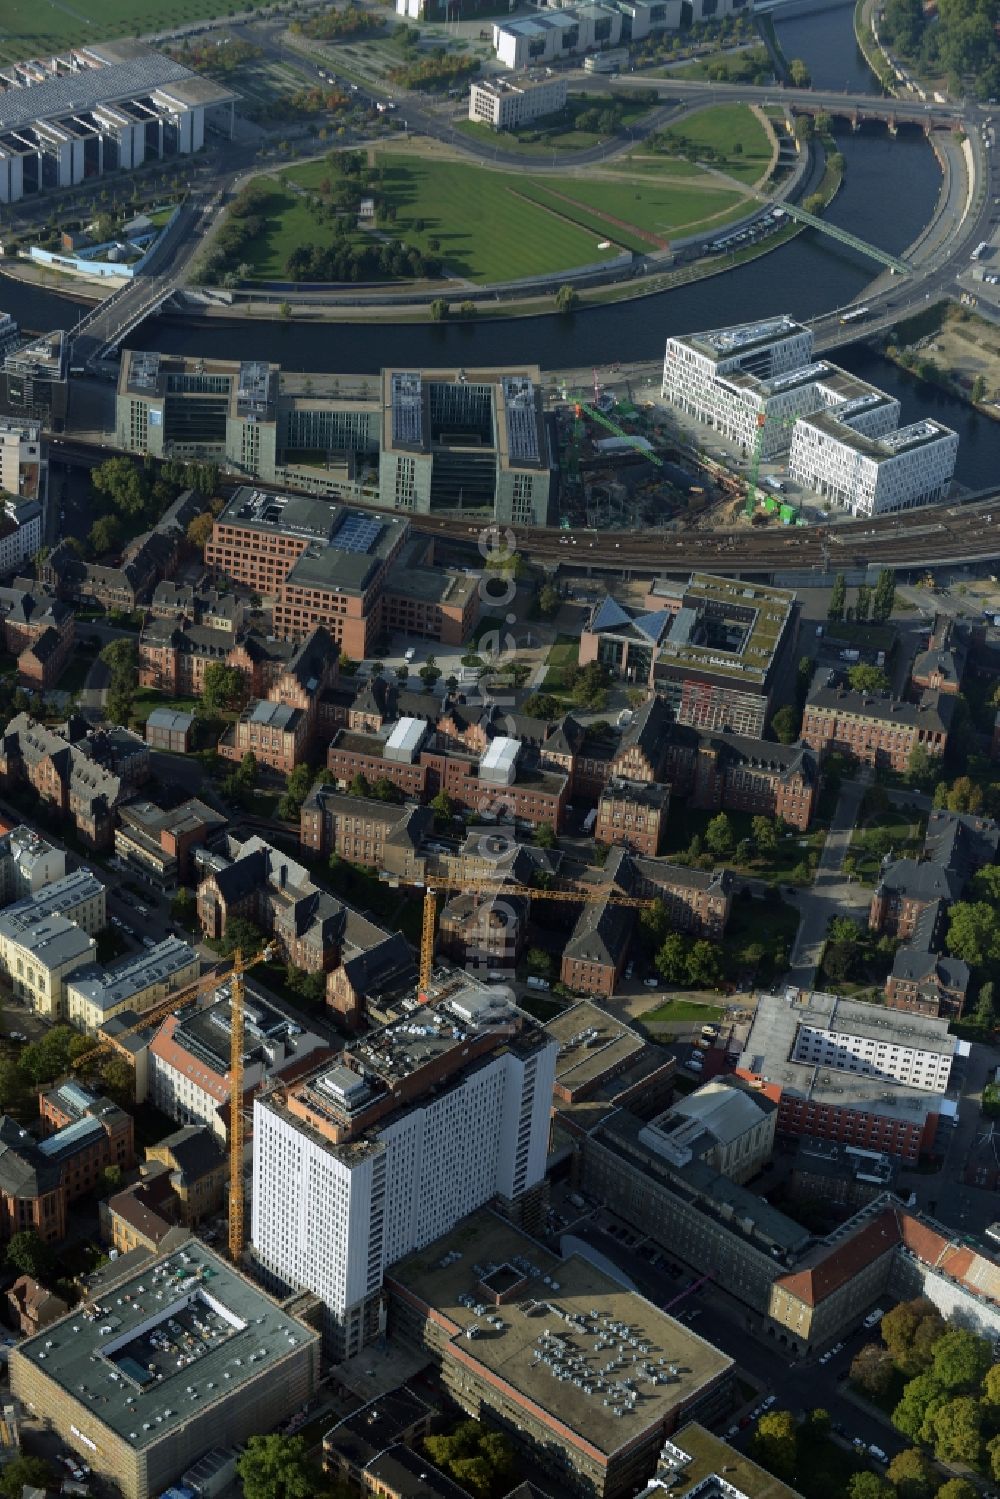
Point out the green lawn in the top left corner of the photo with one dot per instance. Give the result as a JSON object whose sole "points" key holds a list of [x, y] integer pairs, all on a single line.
{"points": [[37, 28]]}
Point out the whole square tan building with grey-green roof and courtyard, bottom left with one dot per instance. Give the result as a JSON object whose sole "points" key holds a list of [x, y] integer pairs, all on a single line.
{"points": [[190, 1297]]}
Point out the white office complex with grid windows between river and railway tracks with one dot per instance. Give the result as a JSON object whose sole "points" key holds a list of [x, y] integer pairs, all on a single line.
{"points": [[759, 386]]}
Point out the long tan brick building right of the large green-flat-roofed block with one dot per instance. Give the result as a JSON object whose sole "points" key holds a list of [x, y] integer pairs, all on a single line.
{"points": [[876, 731]]}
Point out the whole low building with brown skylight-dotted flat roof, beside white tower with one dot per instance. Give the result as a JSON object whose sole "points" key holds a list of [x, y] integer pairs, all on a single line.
{"points": [[587, 1431]]}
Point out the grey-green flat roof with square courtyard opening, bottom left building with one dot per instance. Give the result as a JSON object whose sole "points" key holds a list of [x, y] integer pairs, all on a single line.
{"points": [[178, 1336]]}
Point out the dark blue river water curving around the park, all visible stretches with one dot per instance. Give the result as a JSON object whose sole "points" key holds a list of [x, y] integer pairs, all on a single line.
{"points": [[807, 277]]}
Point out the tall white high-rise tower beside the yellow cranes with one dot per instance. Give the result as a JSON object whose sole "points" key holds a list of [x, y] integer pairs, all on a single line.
{"points": [[379, 1155]]}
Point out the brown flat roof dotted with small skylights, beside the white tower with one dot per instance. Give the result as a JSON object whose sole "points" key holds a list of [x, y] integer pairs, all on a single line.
{"points": [[563, 1321]]}
